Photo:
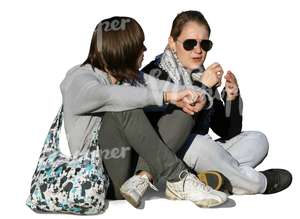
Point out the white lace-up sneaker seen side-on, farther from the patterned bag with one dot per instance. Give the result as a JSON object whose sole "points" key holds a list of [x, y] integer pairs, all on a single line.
{"points": [[191, 188]]}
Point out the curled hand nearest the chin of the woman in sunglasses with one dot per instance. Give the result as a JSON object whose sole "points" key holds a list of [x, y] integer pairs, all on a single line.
{"points": [[212, 75]]}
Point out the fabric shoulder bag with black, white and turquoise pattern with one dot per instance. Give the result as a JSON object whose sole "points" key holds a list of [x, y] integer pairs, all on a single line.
{"points": [[61, 184]]}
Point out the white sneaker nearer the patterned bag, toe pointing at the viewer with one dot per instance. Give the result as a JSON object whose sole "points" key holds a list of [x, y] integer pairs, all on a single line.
{"points": [[134, 189]]}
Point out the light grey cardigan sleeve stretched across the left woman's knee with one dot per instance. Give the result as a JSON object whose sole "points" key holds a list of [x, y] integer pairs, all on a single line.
{"points": [[88, 94]]}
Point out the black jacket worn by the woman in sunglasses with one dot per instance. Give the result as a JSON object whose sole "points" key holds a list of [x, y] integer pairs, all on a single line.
{"points": [[215, 118]]}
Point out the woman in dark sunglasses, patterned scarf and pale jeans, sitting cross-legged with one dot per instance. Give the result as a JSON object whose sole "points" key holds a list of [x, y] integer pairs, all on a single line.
{"points": [[236, 153]]}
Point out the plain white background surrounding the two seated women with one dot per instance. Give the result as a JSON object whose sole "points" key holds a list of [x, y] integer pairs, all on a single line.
{"points": [[40, 41]]}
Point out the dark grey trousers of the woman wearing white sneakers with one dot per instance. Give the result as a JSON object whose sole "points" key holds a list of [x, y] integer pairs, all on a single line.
{"points": [[125, 135]]}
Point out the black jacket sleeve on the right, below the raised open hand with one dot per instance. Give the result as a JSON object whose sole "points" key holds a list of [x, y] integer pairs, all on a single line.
{"points": [[226, 120]]}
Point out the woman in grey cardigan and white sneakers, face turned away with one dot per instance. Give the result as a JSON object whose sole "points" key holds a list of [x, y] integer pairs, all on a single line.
{"points": [[108, 90]]}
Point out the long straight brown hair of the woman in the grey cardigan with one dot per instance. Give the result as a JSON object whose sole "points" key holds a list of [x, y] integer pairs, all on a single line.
{"points": [[116, 46]]}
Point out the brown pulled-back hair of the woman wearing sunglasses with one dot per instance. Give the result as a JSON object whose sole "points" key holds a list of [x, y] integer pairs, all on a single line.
{"points": [[184, 17]]}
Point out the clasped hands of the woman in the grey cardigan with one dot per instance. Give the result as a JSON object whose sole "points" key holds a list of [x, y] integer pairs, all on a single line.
{"points": [[189, 101]]}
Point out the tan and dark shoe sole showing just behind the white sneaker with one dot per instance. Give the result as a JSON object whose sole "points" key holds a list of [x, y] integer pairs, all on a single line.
{"points": [[211, 178]]}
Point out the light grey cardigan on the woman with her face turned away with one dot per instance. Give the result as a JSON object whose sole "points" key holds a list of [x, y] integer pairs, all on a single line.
{"points": [[87, 93]]}
